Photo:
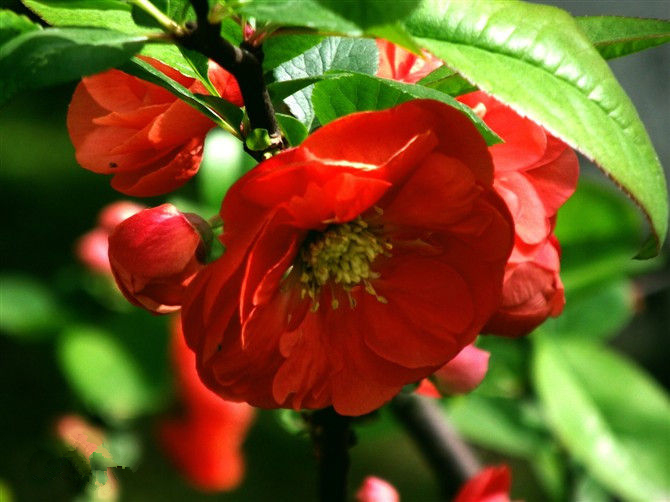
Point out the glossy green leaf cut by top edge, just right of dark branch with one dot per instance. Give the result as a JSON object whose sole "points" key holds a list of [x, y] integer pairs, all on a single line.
{"points": [[354, 19]]}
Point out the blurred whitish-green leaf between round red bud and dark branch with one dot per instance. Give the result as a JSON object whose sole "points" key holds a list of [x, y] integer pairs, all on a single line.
{"points": [[224, 161]]}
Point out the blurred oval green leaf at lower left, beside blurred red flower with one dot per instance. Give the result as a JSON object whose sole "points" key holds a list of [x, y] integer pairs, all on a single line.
{"points": [[103, 374]]}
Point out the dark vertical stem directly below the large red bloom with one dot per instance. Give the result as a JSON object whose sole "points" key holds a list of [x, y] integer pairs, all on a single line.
{"points": [[332, 437]]}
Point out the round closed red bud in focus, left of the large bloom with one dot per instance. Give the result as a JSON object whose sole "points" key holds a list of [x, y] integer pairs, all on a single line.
{"points": [[155, 254]]}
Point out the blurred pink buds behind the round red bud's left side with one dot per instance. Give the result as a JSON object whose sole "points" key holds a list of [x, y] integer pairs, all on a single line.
{"points": [[92, 247]]}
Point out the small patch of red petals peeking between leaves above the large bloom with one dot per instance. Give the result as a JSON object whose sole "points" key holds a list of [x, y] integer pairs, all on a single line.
{"points": [[398, 64]]}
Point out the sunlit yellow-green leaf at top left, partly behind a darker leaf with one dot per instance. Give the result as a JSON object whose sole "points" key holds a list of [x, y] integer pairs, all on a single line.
{"points": [[112, 14]]}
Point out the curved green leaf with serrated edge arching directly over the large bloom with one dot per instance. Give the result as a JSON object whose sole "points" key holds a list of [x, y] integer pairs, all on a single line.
{"points": [[354, 92]]}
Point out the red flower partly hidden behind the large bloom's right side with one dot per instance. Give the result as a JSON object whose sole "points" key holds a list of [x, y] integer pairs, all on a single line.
{"points": [[535, 174]]}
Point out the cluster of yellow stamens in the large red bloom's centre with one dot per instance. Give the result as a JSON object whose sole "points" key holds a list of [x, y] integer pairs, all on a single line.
{"points": [[343, 254]]}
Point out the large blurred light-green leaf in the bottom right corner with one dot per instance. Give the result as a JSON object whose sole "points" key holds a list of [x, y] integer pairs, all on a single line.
{"points": [[610, 415]]}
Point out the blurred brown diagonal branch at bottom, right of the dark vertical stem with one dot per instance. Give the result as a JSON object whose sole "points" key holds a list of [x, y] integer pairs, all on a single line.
{"points": [[438, 441]]}
